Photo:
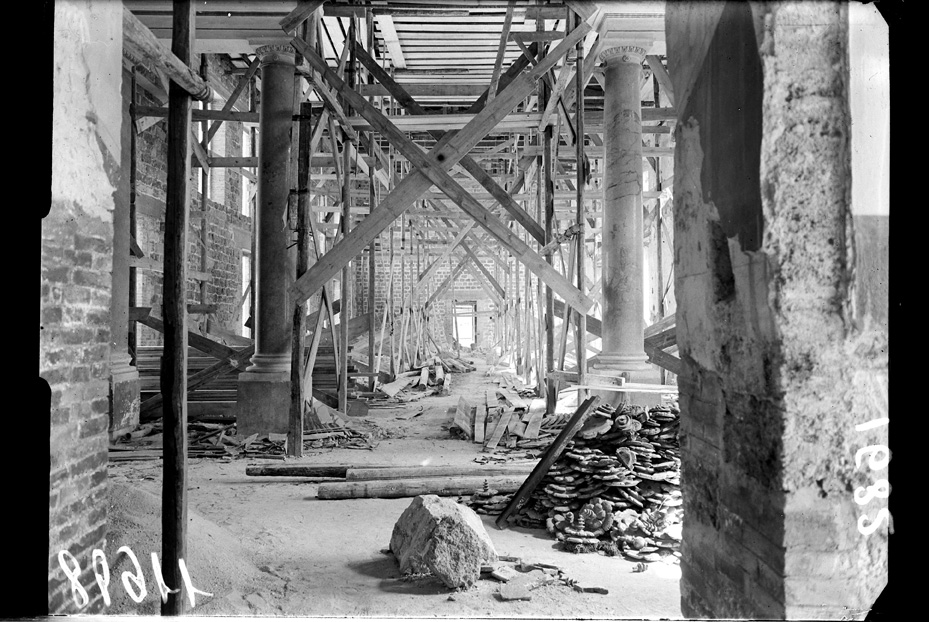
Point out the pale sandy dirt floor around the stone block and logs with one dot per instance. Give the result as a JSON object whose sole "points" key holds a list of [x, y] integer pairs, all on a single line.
{"points": [[269, 547]]}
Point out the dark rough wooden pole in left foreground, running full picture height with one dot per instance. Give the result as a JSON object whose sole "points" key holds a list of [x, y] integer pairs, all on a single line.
{"points": [[174, 360]]}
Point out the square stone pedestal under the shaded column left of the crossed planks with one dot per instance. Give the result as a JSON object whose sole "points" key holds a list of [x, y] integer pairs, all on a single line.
{"points": [[262, 403]]}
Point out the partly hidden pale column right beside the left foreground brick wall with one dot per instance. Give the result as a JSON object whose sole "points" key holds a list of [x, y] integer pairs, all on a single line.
{"points": [[124, 378]]}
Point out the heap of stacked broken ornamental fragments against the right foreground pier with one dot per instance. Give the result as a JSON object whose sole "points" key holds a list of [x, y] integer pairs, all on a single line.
{"points": [[615, 488]]}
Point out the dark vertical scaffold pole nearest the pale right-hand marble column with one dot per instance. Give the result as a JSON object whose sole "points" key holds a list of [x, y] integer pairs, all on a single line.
{"points": [[579, 218]]}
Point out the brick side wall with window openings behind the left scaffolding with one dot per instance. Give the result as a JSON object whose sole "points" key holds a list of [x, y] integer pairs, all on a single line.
{"points": [[228, 230]]}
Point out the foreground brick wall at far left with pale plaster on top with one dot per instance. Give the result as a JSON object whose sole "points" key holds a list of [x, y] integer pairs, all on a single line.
{"points": [[77, 248]]}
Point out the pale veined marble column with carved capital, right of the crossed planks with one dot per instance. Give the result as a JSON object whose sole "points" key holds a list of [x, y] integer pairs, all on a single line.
{"points": [[623, 297]]}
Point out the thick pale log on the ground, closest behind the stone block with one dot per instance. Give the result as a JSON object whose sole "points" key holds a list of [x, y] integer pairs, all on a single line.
{"points": [[399, 488]]}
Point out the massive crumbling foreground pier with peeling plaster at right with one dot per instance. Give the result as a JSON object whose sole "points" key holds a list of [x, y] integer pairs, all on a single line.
{"points": [[779, 366]]}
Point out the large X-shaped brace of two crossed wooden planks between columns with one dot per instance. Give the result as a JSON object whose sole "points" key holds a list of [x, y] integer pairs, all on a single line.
{"points": [[433, 169]]}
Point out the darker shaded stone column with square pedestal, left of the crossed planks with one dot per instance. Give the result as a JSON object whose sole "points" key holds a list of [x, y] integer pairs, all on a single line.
{"points": [[263, 400]]}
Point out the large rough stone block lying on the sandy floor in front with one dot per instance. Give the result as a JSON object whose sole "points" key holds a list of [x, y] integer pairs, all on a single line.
{"points": [[443, 537]]}
